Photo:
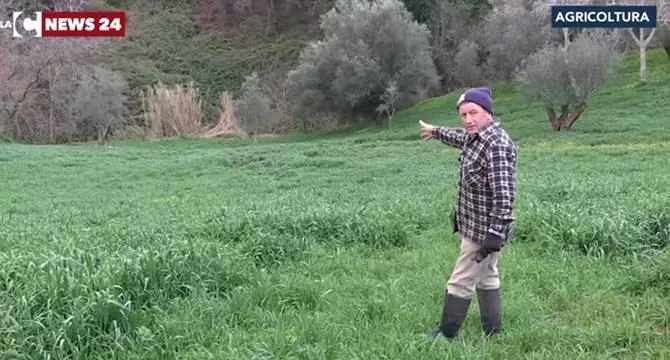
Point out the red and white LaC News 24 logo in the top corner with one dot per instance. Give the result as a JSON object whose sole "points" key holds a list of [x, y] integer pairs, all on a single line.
{"points": [[66, 24]]}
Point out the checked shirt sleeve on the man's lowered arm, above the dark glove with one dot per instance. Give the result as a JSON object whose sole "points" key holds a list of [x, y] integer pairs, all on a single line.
{"points": [[502, 179]]}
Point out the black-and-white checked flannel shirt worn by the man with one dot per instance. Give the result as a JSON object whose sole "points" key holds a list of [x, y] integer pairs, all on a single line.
{"points": [[487, 182]]}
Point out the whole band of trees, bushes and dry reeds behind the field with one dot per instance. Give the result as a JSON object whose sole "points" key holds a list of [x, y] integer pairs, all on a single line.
{"points": [[240, 67]]}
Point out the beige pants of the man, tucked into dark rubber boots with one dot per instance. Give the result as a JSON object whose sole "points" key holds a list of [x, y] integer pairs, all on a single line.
{"points": [[468, 275]]}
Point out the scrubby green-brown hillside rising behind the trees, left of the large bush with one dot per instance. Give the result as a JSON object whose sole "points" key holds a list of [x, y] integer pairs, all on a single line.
{"points": [[205, 42]]}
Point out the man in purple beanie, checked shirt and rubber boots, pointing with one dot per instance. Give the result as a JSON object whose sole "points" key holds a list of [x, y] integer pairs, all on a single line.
{"points": [[484, 213]]}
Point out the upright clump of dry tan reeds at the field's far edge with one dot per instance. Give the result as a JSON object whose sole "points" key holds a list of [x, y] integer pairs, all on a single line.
{"points": [[175, 111]]}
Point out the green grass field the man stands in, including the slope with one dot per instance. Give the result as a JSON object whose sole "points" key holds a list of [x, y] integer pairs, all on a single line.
{"points": [[339, 247]]}
